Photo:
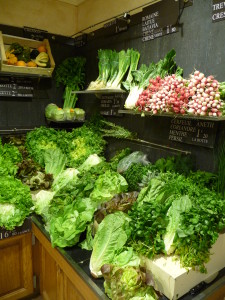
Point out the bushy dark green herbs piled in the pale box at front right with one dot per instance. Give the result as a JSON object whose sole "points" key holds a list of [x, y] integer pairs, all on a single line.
{"points": [[198, 226]]}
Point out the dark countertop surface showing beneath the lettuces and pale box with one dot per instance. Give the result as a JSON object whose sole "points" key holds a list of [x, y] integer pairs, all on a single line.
{"points": [[79, 259]]}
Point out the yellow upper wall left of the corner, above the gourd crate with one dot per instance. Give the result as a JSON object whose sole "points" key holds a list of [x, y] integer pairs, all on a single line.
{"points": [[54, 16]]}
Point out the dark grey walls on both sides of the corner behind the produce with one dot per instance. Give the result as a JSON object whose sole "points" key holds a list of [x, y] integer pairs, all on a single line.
{"points": [[198, 44]]}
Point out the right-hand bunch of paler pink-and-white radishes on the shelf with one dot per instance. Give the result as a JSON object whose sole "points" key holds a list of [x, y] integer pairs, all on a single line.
{"points": [[205, 96]]}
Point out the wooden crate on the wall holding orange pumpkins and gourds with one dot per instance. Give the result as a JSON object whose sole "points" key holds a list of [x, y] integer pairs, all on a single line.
{"points": [[7, 40]]}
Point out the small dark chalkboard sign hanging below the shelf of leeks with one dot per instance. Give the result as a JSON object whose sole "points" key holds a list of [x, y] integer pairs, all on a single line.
{"points": [[110, 104]]}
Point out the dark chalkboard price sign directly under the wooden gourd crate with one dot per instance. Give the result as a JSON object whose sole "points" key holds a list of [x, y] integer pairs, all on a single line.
{"points": [[16, 87]]}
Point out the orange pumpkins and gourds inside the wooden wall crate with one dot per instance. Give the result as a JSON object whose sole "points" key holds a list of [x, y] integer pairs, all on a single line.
{"points": [[22, 56]]}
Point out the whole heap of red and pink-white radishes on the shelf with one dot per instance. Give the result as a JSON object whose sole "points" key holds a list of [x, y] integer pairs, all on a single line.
{"points": [[198, 96]]}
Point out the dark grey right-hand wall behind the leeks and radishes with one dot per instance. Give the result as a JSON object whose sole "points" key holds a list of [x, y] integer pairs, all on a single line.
{"points": [[199, 44]]}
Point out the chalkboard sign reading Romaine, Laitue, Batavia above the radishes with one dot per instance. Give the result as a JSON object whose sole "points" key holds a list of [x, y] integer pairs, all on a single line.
{"points": [[159, 19]]}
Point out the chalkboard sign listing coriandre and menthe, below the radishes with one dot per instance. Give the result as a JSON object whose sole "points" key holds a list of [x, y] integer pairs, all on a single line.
{"points": [[195, 132]]}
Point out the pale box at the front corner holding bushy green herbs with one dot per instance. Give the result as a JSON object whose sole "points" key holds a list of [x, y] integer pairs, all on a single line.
{"points": [[174, 281]]}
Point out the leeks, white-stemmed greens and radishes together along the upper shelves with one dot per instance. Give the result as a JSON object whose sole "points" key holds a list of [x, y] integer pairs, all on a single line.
{"points": [[159, 87]]}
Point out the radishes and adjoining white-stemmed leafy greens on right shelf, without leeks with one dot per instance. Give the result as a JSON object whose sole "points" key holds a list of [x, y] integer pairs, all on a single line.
{"points": [[160, 88]]}
